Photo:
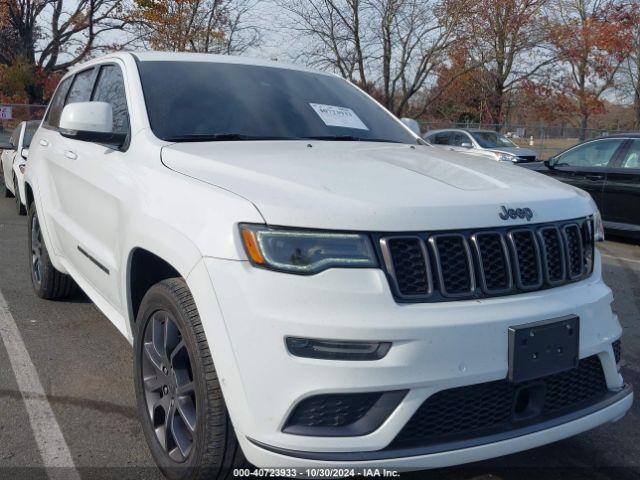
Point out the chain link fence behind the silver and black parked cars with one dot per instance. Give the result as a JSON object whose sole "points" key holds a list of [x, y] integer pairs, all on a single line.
{"points": [[547, 140]]}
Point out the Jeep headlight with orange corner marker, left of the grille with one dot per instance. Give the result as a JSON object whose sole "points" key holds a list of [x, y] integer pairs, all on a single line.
{"points": [[306, 251]]}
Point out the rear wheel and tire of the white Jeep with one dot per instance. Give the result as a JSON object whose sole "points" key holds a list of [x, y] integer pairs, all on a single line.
{"points": [[48, 283]]}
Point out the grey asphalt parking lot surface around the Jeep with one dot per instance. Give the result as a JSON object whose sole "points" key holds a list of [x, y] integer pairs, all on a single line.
{"points": [[79, 367]]}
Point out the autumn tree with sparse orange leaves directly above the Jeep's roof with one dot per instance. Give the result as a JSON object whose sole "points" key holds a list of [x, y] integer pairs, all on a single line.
{"points": [[207, 26]]}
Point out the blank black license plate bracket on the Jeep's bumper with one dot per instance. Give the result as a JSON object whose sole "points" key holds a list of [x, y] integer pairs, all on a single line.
{"points": [[543, 348]]}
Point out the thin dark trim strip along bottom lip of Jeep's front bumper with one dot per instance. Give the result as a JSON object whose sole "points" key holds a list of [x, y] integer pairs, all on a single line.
{"points": [[612, 398]]}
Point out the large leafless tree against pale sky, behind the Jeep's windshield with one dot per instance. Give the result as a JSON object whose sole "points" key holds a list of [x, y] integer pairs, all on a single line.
{"points": [[391, 48]]}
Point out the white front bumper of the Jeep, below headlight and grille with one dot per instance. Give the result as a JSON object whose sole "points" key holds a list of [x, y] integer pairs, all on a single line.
{"points": [[435, 347]]}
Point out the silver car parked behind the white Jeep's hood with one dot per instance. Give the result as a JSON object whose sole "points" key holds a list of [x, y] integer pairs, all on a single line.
{"points": [[484, 143]]}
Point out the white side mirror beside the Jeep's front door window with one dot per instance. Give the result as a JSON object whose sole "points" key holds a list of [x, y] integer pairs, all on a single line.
{"points": [[90, 122]]}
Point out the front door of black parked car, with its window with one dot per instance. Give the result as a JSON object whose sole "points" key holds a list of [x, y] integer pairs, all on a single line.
{"points": [[586, 166]]}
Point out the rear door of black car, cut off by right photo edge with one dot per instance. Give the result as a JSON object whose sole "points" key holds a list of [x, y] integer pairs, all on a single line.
{"points": [[622, 190]]}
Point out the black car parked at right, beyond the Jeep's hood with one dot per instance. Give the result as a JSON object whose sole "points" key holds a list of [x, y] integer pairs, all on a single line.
{"points": [[609, 169]]}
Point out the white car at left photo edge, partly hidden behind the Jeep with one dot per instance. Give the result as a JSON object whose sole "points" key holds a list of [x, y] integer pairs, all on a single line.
{"points": [[14, 159]]}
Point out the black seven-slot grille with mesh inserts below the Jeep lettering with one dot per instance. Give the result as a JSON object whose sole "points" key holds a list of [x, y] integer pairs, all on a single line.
{"points": [[474, 264]]}
